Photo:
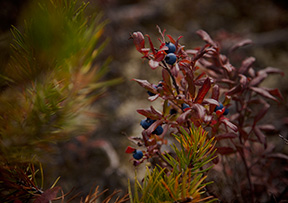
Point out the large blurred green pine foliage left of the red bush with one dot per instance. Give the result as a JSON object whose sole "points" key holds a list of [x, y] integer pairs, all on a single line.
{"points": [[51, 80]]}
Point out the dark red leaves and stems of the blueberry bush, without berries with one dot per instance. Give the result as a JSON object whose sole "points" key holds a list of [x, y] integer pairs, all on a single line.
{"points": [[184, 84]]}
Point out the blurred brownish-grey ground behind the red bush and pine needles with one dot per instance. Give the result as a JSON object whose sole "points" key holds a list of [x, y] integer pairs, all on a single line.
{"points": [[100, 159]]}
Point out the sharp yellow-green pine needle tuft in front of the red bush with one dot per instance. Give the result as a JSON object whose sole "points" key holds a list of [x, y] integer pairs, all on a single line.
{"points": [[183, 180]]}
